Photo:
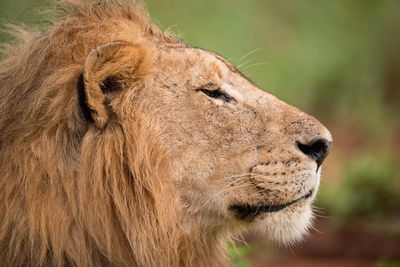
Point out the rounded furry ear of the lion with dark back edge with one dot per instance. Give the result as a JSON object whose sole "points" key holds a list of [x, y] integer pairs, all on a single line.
{"points": [[107, 68]]}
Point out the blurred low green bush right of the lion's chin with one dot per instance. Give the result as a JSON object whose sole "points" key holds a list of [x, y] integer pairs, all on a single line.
{"points": [[370, 188]]}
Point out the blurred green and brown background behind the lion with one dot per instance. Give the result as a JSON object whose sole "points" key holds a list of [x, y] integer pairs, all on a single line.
{"points": [[337, 60]]}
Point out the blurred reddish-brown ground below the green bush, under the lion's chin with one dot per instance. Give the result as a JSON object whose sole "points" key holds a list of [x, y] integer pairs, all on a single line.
{"points": [[353, 245]]}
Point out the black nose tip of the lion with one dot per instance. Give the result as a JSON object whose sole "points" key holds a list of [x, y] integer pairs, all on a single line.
{"points": [[316, 150]]}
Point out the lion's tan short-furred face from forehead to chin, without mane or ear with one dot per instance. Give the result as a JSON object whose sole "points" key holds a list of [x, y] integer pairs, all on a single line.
{"points": [[239, 156]]}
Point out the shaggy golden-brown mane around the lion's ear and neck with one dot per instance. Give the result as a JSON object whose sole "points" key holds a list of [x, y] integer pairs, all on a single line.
{"points": [[107, 202]]}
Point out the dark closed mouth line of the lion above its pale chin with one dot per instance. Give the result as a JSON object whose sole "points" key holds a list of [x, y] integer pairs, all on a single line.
{"points": [[247, 211]]}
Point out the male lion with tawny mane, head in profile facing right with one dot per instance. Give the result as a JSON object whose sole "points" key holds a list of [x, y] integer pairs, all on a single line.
{"points": [[121, 145]]}
